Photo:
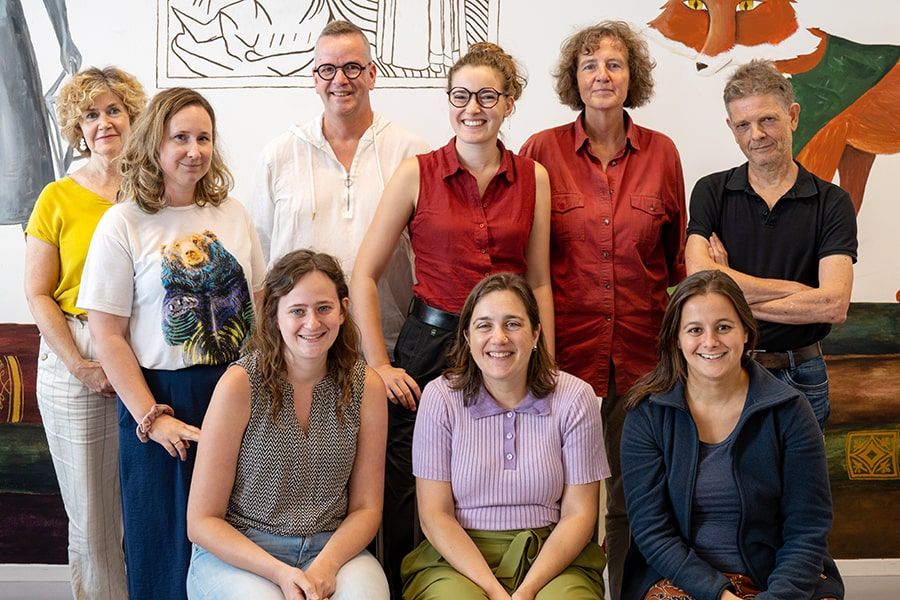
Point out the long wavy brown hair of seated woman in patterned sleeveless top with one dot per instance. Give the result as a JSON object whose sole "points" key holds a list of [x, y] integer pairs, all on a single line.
{"points": [[267, 340]]}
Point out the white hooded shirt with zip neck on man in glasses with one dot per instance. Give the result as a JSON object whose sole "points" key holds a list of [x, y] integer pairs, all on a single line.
{"points": [[305, 198]]}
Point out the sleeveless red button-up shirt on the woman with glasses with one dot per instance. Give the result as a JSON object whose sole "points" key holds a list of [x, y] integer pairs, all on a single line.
{"points": [[460, 236]]}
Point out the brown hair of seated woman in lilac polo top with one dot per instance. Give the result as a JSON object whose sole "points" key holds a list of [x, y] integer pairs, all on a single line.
{"points": [[464, 373]]}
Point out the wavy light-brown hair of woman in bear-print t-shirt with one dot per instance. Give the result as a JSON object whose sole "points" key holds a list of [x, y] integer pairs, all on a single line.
{"points": [[142, 176]]}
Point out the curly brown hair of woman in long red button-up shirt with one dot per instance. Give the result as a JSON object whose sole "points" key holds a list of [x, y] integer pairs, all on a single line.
{"points": [[586, 41]]}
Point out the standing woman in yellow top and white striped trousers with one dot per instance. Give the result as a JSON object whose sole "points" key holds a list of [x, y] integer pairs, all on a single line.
{"points": [[96, 109]]}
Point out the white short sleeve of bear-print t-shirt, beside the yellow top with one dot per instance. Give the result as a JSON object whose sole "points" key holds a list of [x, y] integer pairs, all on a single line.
{"points": [[107, 282]]}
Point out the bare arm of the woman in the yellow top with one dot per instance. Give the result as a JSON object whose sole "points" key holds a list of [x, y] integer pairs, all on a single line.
{"points": [[41, 277]]}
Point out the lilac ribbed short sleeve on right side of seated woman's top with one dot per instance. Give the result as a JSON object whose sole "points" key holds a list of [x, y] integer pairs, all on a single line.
{"points": [[583, 453]]}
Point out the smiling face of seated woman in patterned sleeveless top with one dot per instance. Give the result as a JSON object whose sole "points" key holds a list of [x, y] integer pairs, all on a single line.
{"points": [[310, 317]]}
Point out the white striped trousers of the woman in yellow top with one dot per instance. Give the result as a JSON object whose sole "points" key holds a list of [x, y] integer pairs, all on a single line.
{"points": [[82, 433]]}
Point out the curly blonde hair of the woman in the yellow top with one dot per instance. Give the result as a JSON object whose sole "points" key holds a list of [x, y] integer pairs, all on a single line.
{"points": [[78, 93]]}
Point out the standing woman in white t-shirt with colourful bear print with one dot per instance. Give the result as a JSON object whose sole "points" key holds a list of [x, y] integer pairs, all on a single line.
{"points": [[167, 286]]}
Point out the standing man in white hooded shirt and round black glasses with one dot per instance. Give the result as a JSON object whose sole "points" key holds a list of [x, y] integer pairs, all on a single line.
{"points": [[320, 183]]}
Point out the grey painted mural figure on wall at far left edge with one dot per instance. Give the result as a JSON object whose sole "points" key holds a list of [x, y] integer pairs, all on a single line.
{"points": [[31, 151]]}
